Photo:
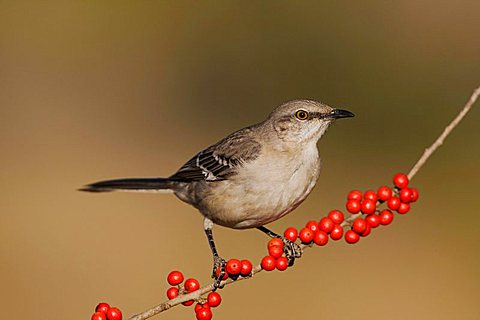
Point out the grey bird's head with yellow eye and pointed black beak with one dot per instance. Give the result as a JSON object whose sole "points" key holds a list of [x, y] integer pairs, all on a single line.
{"points": [[304, 120]]}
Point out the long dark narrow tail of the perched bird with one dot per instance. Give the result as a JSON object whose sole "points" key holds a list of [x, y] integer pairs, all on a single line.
{"points": [[132, 184]]}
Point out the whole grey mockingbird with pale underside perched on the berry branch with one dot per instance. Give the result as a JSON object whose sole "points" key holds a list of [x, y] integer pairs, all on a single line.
{"points": [[252, 177]]}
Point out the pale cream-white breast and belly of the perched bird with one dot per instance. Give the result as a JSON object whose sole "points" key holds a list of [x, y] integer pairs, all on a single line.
{"points": [[264, 190]]}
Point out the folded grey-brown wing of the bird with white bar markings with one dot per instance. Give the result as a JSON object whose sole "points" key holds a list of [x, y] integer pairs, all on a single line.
{"points": [[221, 160]]}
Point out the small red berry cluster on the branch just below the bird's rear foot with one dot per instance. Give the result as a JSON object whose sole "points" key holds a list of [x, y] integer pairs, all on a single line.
{"points": [[203, 307]]}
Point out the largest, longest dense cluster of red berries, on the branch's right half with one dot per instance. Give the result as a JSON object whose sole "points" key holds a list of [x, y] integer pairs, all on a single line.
{"points": [[364, 215]]}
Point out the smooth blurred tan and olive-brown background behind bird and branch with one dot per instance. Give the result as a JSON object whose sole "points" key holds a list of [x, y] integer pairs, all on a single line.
{"points": [[92, 90]]}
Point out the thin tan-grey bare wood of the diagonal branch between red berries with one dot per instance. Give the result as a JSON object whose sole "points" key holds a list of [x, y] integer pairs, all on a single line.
{"points": [[196, 295]]}
